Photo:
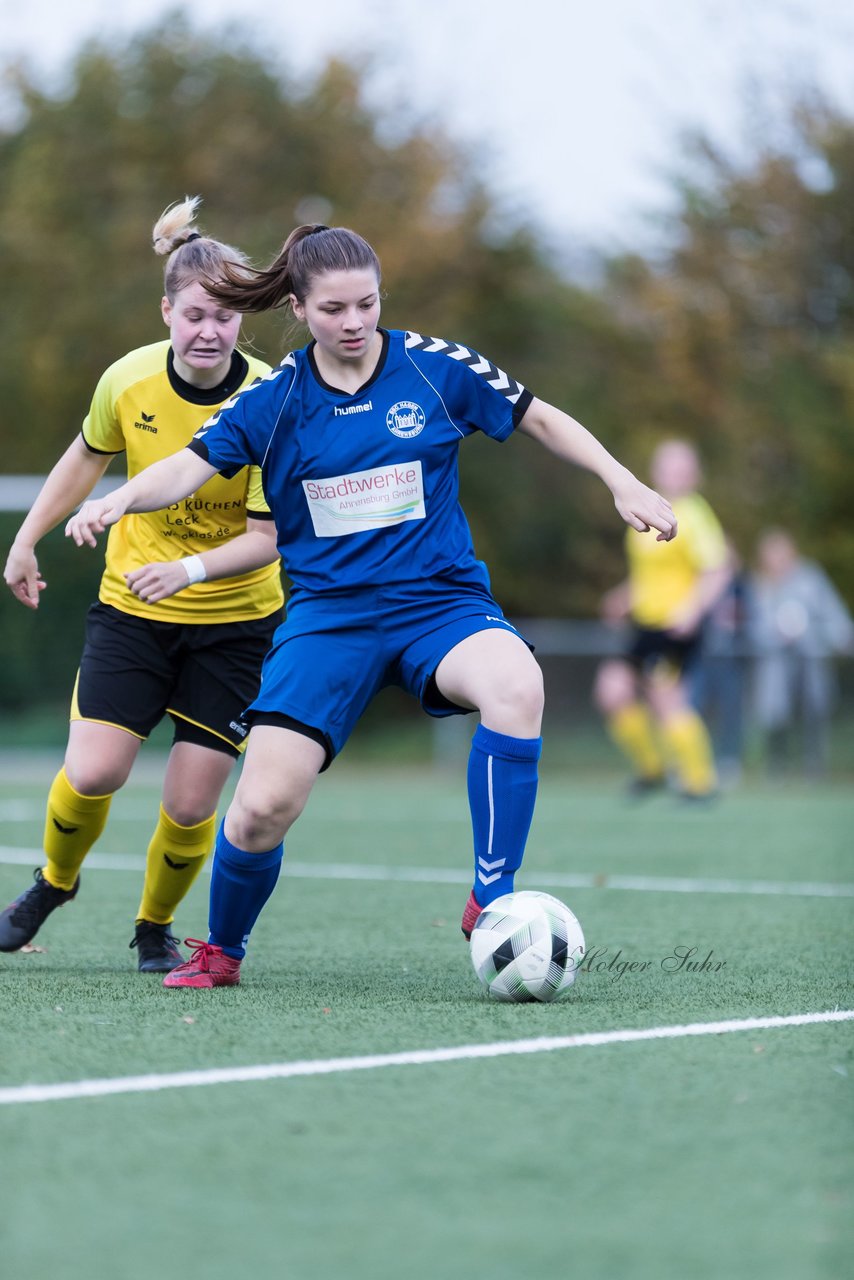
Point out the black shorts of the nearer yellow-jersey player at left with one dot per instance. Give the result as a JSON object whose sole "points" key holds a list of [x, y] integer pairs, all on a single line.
{"points": [[135, 671]]}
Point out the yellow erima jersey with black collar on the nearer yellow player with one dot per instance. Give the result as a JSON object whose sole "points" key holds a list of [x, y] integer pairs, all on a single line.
{"points": [[144, 409]]}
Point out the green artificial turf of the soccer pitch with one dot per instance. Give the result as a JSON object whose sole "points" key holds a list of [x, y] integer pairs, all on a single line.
{"points": [[723, 1156]]}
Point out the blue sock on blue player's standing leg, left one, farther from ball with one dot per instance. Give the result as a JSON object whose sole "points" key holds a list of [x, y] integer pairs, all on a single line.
{"points": [[240, 886]]}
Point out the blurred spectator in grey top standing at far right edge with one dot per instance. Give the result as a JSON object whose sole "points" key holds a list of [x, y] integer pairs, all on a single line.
{"points": [[798, 623]]}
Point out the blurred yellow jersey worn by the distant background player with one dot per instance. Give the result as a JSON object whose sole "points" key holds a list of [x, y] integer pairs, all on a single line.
{"points": [[663, 577]]}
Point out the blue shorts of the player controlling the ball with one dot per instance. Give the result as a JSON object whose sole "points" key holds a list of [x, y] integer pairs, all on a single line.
{"points": [[335, 652]]}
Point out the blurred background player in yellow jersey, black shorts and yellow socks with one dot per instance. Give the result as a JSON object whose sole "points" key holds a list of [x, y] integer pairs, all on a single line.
{"points": [[646, 697]]}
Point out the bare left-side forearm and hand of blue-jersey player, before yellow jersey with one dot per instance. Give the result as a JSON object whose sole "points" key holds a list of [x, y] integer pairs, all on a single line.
{"points": [[159, 486]]}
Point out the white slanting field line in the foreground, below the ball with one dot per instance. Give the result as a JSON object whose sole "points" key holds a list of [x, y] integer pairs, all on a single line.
{"points": [[98, 1089]]}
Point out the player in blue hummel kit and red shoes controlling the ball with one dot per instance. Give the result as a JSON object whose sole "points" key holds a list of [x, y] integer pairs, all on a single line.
{"points": [[358, 438]]}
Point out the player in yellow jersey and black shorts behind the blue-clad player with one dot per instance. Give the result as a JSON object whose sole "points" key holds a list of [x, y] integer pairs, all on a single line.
{"points": [[188, 607]]}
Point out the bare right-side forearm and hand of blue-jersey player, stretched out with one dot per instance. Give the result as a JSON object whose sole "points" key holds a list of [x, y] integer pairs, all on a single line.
{"points": [[640, 506]]}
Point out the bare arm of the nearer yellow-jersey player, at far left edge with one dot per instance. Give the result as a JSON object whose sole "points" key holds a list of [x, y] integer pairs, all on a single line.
{"points": [[71, 481]]}
